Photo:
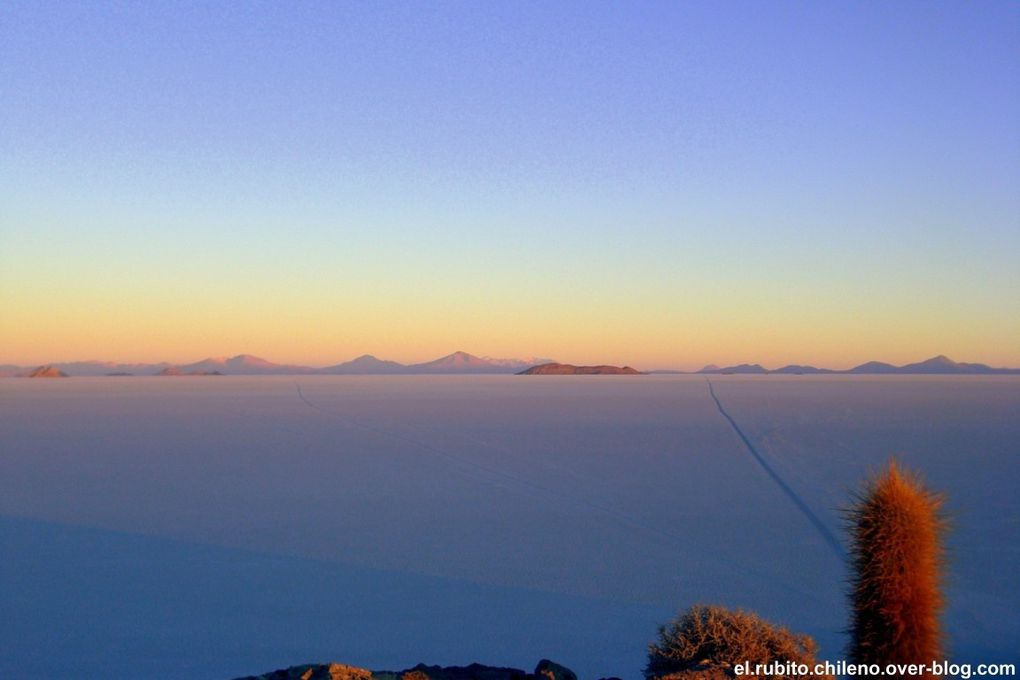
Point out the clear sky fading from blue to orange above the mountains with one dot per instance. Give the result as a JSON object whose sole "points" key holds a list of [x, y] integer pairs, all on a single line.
{"points": [[660, 185]]}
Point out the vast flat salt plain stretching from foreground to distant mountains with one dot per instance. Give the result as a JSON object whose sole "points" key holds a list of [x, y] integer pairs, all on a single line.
{"points": [[216, 527]]}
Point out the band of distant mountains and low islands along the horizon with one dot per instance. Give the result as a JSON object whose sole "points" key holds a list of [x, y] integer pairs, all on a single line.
{"points": [[463, 363]]}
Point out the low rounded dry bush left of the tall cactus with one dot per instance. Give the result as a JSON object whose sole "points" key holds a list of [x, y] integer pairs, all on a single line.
{"points": [[708, 642]]}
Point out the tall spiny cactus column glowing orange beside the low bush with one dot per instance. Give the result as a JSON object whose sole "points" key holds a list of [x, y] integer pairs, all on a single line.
{"points": [[897, 530]]}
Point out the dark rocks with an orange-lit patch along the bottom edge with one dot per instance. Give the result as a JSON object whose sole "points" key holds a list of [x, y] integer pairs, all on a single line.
{"points": [[546, 670]]}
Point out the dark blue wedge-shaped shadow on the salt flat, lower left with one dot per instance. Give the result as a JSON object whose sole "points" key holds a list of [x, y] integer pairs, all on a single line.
{"points": [[109, 604]]}
